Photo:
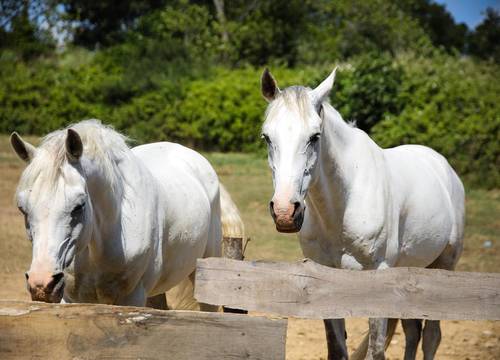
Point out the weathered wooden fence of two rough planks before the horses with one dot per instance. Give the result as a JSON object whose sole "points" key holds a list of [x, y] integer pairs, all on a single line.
{"points": [[303, 289]]}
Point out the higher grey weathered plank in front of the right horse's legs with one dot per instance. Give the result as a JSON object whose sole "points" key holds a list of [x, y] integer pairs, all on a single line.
{"points": [[307, 289]]}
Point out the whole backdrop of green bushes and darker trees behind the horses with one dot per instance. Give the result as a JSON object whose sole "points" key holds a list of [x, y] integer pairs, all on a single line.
{"points": [[188, 70]]}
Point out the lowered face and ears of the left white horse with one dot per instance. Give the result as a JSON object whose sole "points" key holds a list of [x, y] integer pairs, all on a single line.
{"points": [[55, 209]]}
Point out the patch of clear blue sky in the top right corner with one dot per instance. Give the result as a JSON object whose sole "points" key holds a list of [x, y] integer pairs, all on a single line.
{"points": [[469, 11]]}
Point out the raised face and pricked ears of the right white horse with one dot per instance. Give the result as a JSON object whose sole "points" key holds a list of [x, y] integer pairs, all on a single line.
{"points": [[292, 130]]}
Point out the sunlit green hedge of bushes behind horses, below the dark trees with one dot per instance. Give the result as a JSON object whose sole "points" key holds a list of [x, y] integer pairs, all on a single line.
{"points": [[442, 101]]}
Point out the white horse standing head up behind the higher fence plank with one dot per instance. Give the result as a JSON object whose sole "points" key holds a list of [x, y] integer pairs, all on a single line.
{"points": [[357, 206]]}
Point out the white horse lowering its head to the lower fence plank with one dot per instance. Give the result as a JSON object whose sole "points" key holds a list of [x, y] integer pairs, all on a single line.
{"points": [[115, 225]]}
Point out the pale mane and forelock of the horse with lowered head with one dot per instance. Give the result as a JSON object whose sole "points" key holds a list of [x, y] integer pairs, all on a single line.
{"points": [[101, 143]]}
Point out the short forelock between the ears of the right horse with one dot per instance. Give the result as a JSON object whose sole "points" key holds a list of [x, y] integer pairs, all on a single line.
{"points": [[295, 99]]}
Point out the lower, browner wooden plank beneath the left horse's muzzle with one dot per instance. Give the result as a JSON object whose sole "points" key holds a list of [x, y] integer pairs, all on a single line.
{"points": [[82, 331]]}
